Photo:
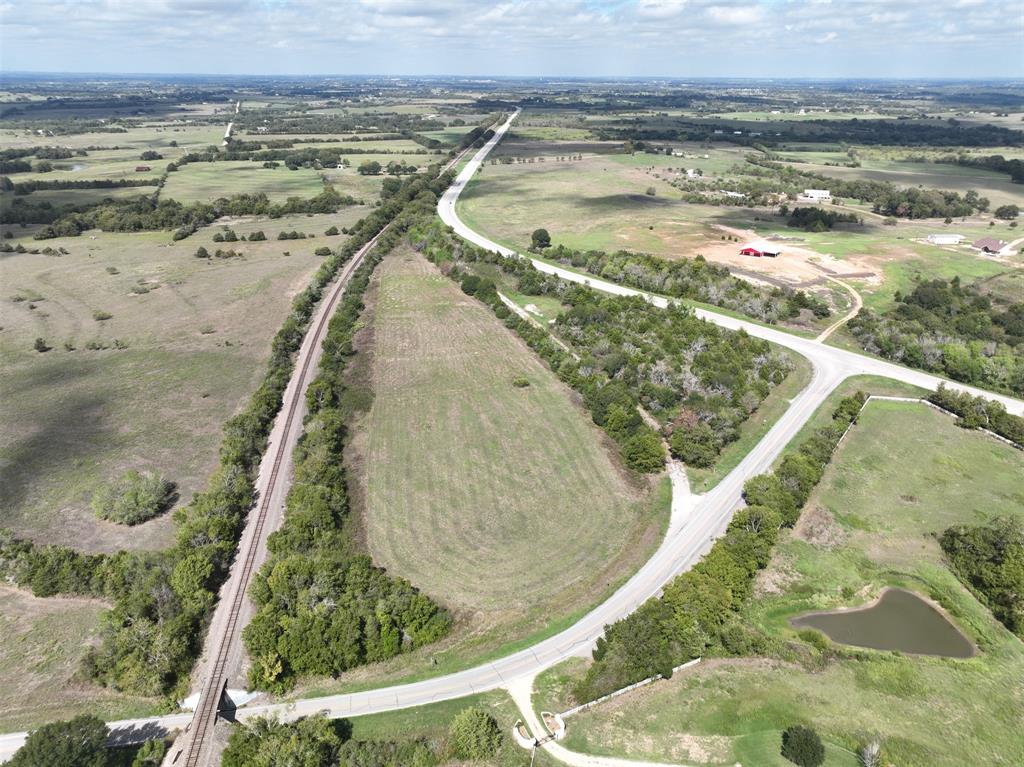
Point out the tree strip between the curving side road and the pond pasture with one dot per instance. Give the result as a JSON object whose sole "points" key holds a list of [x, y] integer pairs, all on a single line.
{"points": [[698, 613]]}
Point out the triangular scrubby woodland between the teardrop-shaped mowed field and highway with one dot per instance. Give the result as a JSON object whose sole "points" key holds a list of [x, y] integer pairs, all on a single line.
{"points": [[702, 382]]}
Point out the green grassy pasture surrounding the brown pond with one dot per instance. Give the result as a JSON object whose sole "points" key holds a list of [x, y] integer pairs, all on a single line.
{"points": [[905, 474]]}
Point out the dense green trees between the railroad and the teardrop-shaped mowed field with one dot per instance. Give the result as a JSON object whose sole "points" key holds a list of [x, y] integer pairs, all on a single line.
{"points": [[323, 608]]}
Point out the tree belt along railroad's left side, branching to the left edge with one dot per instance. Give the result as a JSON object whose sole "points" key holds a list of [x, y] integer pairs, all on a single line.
{"points": [[162, 601]]}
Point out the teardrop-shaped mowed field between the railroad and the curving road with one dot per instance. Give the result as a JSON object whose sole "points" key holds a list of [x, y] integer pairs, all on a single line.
{"points": [[504, 503]]}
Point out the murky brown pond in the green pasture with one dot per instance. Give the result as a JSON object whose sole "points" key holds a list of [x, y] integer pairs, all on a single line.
{"points": [[900, 621]]}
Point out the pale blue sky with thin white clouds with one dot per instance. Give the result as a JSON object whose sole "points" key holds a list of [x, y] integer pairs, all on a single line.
{"points": [[595, 38]]}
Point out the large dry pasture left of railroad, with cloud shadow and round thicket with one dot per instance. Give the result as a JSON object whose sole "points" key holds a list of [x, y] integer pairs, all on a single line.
{"points": [[198, 334]]}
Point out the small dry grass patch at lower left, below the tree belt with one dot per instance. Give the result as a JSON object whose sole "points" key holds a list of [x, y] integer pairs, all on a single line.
{"points": [[44, 644]]}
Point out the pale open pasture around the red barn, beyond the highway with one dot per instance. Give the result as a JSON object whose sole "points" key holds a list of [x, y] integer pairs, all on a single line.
{"points": [[601, 203]]}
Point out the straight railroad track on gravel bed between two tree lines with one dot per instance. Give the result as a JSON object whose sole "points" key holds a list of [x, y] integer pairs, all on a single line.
{"points": [[199, 731]]}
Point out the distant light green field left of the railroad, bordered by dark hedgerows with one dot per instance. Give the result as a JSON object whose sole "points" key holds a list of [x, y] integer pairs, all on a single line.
{"points": [[207, 182]]}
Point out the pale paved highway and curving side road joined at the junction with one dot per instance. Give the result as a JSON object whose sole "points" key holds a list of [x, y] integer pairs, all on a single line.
{"points": [[696, 521]]}
